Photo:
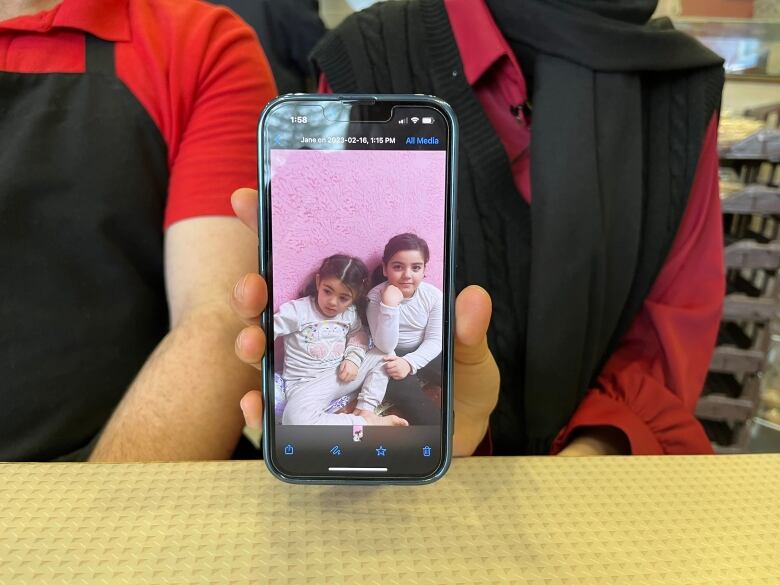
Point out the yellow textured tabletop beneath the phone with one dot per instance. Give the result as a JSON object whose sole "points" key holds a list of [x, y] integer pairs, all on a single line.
{"points": [[546, 521]]}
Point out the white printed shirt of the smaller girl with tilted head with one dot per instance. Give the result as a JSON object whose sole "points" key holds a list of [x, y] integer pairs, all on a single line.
{"points": [[314, 343]]}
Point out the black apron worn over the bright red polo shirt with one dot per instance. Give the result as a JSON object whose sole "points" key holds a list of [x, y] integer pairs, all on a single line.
{"points": [[83, 185]]}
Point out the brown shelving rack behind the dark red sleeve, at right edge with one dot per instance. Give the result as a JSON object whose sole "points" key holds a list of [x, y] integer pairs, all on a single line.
{"points": [[731, 396]]}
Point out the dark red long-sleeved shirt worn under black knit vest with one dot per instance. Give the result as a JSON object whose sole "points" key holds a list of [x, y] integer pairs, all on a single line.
{"points": [[650, 385]]}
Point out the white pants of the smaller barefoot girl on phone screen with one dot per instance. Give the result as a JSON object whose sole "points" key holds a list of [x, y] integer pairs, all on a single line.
{"points": [[308, 398]]}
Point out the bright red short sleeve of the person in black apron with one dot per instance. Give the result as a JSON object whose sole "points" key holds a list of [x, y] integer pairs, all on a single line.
{"points": [[226, 83]]}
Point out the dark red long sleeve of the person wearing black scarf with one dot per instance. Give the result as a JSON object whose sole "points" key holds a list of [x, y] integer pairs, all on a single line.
{"points": [[649, 387]]}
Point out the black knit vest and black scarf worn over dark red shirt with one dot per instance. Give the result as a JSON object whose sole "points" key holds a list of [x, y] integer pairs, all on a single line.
{"points": [[613, 156]]}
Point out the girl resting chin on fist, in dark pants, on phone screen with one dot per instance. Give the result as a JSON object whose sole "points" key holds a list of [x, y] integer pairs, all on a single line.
{"points": [[405, 317]]}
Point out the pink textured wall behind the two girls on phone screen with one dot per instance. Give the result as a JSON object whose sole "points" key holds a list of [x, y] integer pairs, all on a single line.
{"points": [[352, 201]]}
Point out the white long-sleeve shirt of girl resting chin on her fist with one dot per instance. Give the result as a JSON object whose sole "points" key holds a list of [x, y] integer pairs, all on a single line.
{"points": [[414, 326]]}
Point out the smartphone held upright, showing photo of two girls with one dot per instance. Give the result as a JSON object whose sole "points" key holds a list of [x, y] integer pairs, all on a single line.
{"points": [[356, 243]]}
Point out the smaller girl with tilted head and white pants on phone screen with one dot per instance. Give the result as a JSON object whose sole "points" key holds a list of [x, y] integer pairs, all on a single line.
{"points": [[325, 349]]}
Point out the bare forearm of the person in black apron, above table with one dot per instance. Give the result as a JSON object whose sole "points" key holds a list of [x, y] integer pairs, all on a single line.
{"points": [[183, 405]]}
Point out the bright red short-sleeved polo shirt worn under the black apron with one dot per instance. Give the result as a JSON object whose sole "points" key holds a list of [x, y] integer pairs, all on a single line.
{"points": [[197, 70]]}
